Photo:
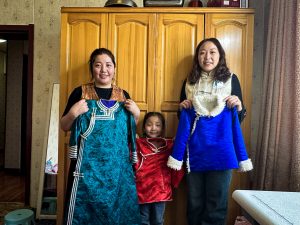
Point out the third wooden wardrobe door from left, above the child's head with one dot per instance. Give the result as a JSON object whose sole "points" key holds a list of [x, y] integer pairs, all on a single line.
{"points": [[178, 36]]}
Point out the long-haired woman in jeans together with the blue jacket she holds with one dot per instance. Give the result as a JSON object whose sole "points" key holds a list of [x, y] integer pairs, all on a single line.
{"points": [[209, 137]]}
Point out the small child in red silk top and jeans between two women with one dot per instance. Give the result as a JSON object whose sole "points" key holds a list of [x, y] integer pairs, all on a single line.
{"points": [[154, 180]]}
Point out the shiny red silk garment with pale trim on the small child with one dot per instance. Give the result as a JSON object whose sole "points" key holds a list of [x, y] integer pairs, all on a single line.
{"points": [[154, 179]]}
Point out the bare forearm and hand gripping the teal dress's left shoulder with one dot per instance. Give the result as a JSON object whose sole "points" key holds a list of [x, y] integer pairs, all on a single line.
{"points": [[76, 110]]}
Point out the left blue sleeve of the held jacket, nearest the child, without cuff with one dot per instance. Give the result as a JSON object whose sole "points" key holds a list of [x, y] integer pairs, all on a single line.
{"points": [[183, 133]]}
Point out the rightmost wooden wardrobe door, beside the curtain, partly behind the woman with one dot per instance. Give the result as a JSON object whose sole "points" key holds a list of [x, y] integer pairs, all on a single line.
{"points": [[235, 32]]}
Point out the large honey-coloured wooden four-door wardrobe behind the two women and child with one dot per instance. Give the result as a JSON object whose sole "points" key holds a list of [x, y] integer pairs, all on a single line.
{"points": [[154, 48]]}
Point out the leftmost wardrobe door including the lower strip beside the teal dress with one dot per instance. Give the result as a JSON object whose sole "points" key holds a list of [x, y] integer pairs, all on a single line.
{"points": [[81, 33]]}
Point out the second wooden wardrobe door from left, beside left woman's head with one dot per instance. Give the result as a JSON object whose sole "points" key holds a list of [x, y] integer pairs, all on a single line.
{"points": [[132, 40]]}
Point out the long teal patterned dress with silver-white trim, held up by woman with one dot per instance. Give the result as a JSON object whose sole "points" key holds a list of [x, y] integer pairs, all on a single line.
{"points": [[103, 191]]}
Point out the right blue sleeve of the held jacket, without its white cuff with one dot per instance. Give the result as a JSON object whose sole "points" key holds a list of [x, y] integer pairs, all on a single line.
{"points": [[238, 139]]}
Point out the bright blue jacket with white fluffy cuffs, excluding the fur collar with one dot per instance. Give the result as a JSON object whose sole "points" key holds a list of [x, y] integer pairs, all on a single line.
{"points": [[209, 143]]}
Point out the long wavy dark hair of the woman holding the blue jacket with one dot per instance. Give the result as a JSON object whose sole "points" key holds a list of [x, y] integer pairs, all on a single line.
{"points": [[222, 72]]}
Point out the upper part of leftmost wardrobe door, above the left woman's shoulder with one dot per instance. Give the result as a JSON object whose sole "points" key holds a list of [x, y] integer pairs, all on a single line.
{"points": [[81, 34]]}
